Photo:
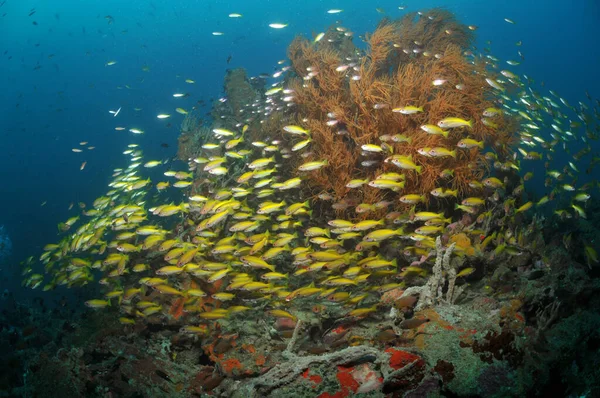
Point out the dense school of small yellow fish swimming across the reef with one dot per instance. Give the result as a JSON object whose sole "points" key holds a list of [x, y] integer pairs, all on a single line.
{"points": [[249, 243]]}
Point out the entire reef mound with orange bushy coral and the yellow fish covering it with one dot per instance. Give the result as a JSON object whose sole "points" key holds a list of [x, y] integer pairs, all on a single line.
{"points": [[241, 290]]}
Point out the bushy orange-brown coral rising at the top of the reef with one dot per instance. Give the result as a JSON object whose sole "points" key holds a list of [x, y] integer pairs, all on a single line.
{"points": [[362, 108]]}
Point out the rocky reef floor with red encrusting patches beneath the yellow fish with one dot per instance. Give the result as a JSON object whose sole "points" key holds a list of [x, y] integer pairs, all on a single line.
{"points": [[488, 346]]}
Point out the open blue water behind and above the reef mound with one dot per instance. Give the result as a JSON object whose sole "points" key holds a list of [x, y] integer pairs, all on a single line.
{"points": [[57, 91]]}
